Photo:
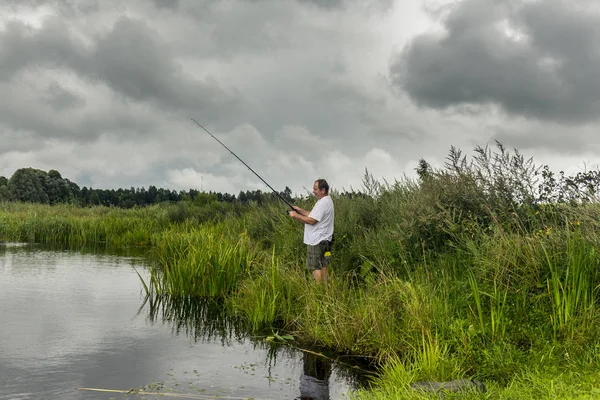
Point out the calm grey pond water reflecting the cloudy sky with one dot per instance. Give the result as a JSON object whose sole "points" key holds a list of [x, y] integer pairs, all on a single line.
{"points": [[70, 319]]}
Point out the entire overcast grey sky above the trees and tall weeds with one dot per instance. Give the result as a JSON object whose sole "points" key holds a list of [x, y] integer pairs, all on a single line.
{"points": [[103, 91]]}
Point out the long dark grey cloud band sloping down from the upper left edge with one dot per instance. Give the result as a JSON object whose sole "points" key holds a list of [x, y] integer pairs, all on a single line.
{"points": [[131, 59]]}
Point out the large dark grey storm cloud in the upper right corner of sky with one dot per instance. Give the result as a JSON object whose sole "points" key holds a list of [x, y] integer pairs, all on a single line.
{"points": [[534, 59]]}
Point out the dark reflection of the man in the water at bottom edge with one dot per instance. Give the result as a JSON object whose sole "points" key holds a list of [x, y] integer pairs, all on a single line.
{"points": [[314, 382]]}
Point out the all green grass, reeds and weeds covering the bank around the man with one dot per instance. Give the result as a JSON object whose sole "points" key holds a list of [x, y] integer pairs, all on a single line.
{"points": [[484, 269]]}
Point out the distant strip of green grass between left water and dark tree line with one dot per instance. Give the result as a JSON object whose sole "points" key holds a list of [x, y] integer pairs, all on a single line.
{"points": [[74, 226]]}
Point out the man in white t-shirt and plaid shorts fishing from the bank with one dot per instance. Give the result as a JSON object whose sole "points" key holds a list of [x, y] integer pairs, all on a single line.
{"points": [[318, 230]]}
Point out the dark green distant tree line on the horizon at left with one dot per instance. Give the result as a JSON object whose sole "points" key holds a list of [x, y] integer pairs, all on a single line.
{"points": [[36, 186]]}
